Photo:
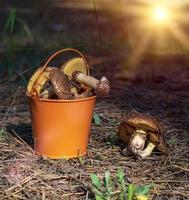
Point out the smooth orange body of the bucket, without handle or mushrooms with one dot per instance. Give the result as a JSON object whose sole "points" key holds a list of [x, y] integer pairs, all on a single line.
{"points": [[61, 127]]}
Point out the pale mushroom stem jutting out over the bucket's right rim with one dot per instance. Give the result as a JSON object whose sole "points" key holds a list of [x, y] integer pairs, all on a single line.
{"points": [[102, 86]]}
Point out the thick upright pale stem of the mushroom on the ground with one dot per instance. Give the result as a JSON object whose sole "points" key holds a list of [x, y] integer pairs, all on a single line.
{"points": [[137, 141]]}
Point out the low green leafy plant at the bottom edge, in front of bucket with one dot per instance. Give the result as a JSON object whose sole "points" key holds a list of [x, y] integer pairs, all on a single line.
{"points": [[108, 188]]}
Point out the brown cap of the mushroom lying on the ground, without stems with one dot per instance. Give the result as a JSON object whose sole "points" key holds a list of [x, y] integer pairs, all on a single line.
{"points": [[155, 132]]}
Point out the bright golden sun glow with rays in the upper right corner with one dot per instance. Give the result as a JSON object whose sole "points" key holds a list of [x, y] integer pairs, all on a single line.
{"points": [[163, 21]]}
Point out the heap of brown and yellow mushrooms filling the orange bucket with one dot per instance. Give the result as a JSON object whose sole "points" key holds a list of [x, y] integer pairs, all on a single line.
{"points": [[70, 81]]}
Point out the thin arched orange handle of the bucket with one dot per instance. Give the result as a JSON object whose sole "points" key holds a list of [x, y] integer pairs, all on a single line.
{"points": [[51, 57]]}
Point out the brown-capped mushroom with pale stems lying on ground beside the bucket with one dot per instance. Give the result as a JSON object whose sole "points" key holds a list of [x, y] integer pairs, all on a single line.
{"points": [[142, 134]]}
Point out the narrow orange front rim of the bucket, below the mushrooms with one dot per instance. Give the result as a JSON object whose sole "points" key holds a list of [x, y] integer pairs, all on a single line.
{"points": [[62, 100]]}
